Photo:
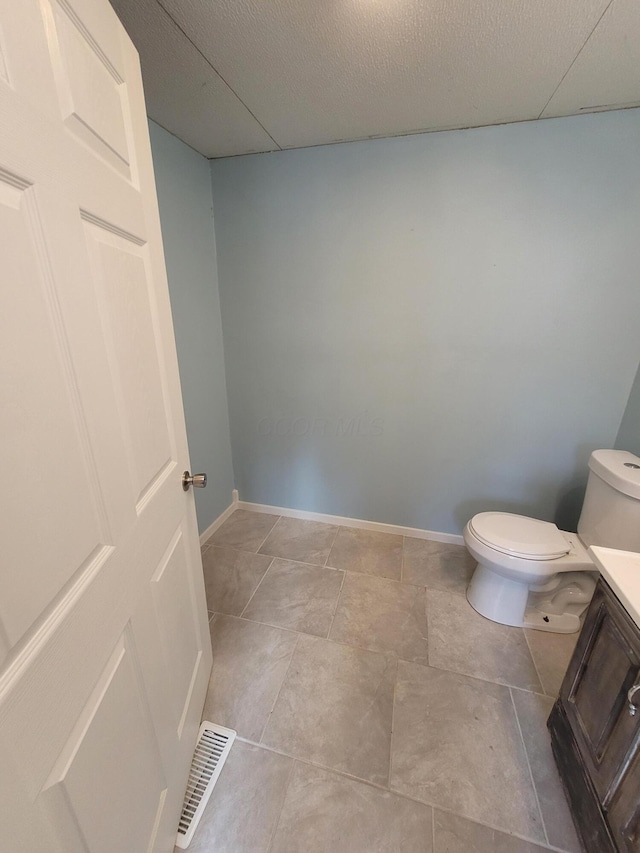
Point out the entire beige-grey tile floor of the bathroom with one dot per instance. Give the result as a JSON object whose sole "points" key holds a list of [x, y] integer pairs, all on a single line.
{"points": [[376, 711]]}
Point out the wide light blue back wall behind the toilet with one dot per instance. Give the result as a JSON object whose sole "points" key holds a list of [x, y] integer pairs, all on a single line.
{"points": [[466, 303]]}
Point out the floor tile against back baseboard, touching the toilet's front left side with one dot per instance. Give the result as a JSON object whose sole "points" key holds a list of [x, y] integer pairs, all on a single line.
{"points": [[437, 564]]}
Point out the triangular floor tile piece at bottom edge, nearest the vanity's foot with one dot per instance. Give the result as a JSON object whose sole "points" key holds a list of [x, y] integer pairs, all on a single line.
{"points": [[454, 834]]}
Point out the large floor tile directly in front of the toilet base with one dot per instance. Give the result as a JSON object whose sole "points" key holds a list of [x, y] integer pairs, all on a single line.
{"points": [[463, 641]]}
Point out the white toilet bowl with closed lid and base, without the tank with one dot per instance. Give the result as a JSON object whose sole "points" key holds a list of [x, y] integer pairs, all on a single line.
{"points": [[530, 574]]}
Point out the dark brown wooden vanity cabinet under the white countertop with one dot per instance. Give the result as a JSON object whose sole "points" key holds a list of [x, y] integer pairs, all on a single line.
{"points": [[595, 731]]}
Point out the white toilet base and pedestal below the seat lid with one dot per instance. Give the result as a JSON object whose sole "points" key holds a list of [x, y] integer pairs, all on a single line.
{"points": [[556, 607]]}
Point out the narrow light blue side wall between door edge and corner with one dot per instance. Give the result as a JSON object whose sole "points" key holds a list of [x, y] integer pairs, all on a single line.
{"points": [[184, 196]]}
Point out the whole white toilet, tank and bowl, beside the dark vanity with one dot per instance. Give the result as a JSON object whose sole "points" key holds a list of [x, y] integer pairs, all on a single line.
{"points": [[531, 574]]}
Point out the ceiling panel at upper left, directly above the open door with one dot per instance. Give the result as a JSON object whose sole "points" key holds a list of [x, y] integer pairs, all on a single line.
{"points": [[183, 93]]}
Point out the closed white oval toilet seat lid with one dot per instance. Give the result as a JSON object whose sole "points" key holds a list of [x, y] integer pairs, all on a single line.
{"points": [[519, 536]]}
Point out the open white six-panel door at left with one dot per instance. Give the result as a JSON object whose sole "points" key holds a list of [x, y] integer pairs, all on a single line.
{"points": [[104, 643]]}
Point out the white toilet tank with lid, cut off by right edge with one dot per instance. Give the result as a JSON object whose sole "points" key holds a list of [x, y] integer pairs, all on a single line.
{"points": [[611, 511]]}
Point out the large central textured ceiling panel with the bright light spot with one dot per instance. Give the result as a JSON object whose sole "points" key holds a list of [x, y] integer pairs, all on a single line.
{"points": [[317, 71]]}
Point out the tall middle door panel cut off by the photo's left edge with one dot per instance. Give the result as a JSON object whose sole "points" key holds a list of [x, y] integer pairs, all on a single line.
{"points": [[71, 531]]}
